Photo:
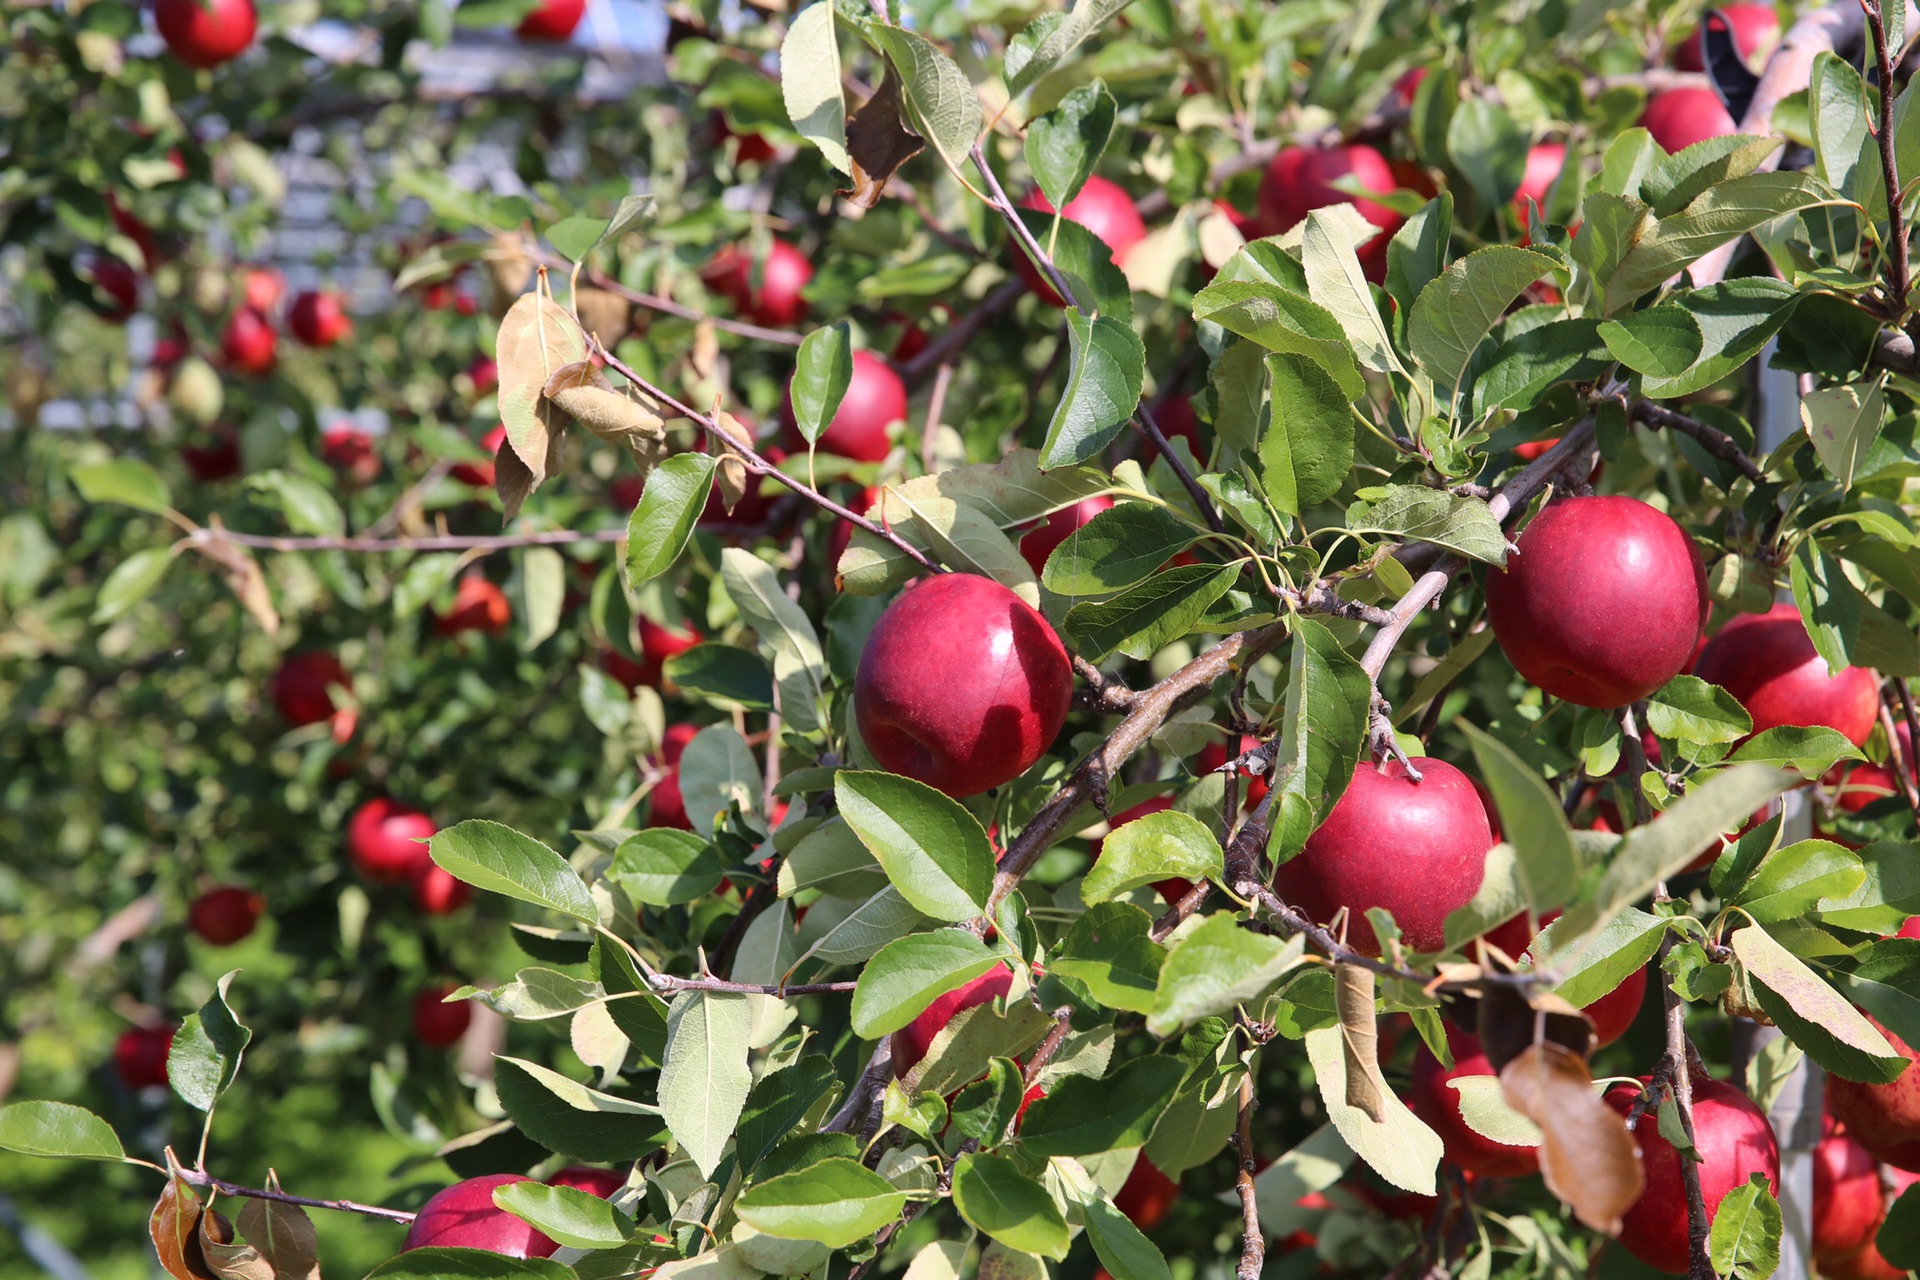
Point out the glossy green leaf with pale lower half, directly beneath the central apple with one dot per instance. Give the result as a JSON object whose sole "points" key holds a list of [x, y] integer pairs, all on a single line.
{"points": [[932, 849]]}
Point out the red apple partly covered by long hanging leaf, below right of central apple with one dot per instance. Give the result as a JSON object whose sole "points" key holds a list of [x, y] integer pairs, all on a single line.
{"points": [[1416, 849]]}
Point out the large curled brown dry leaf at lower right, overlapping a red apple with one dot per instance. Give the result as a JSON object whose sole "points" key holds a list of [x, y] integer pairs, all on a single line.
{"points": [[1587, 1156]]}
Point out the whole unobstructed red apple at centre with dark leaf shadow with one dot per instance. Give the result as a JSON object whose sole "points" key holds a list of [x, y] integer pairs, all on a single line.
{"points": [[963, 686]]}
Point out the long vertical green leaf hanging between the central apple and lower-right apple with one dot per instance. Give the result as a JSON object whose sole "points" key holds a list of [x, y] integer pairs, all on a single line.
{"points": [[1322, 734]]}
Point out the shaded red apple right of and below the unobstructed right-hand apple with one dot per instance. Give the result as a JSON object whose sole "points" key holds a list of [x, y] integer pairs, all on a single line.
{"points": [[1769, 663]]}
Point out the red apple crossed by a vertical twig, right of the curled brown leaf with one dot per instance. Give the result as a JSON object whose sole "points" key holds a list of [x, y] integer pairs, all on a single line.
{"points": [[1735, 1143]]}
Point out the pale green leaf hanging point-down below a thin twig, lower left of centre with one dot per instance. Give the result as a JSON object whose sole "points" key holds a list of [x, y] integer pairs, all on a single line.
{"points": [[706, 1078]]}
